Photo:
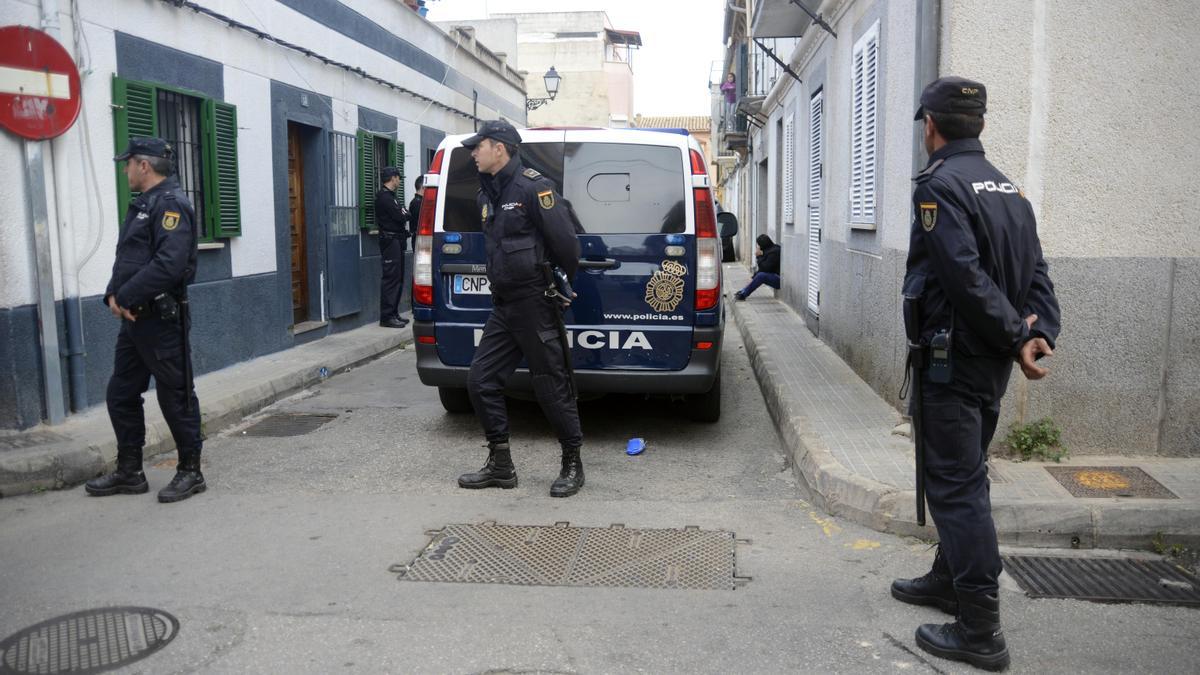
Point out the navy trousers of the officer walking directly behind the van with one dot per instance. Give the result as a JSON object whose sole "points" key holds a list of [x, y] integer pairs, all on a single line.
{"points": [[524, 328]]}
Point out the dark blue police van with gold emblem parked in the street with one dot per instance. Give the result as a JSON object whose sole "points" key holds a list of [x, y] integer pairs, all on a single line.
{"points": [[649, 318]]}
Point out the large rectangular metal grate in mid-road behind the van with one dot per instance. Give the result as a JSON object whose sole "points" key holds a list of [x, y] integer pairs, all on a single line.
{"points": [[578, 557]]}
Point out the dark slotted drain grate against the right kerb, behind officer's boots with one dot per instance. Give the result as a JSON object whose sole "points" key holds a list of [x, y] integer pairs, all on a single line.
{"points": [[1102, 580]]}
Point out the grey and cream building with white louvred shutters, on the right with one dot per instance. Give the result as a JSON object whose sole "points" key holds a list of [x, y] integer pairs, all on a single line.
{"points": [[1081, 115]]}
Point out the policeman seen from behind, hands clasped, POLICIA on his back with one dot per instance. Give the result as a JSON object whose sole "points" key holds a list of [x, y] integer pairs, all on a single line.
{"points": [[977, 283]]}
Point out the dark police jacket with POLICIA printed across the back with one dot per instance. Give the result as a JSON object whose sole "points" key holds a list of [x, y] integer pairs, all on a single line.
{"points": [[975, 259]]}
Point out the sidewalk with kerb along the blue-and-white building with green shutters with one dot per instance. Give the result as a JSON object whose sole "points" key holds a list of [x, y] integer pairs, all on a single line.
{"points": [[64, 465]]}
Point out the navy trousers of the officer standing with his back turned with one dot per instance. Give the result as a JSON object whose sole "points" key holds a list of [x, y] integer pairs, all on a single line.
{"points": [[959, 421]]}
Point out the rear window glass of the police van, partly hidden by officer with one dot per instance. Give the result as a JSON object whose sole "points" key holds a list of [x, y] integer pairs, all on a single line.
{"points": [[615, 188]]}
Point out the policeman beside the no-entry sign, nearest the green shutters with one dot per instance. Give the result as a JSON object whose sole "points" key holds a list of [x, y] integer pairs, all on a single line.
{"points": [[148, 291]]}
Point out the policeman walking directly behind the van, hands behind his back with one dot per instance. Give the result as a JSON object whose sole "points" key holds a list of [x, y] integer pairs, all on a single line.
{"points": [[525, 225]]}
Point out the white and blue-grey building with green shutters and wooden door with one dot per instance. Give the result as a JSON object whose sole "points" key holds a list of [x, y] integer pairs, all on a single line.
{"points": [[281, 112]]}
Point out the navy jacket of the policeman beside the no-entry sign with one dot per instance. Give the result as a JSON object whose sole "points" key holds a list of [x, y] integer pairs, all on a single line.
{"points": [[157, 247]]}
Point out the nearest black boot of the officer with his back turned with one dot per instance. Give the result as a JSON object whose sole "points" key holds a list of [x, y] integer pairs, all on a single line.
{"points": [[976, 638]]}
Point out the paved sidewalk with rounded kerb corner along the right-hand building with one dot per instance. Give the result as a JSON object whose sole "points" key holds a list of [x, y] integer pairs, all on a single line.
{"points": [[844, 441]]}
